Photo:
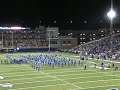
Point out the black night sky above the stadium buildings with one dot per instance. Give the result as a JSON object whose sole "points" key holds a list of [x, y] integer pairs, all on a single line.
{"points": [[84, 14]]}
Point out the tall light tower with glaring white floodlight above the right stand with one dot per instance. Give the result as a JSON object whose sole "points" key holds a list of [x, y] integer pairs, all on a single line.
{"points": [[111, 15]]}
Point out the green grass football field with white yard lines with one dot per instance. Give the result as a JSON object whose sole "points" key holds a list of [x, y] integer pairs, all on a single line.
{"points": [[24, 77]]}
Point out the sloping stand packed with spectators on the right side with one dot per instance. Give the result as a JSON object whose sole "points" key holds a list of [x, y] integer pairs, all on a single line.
{"points": [[102, 45]]}
